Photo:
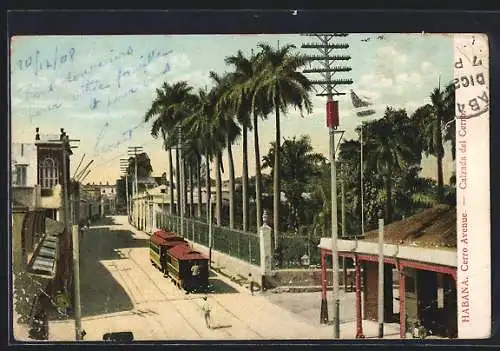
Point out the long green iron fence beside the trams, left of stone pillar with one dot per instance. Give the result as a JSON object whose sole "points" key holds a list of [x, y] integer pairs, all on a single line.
{"points": [[235, 243]]}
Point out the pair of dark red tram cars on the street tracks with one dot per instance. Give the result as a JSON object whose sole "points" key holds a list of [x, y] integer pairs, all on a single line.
{"points": [[172, 255]]}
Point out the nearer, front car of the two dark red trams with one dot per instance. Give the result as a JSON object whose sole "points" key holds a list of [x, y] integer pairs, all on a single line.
{"points": [[187, 268]]}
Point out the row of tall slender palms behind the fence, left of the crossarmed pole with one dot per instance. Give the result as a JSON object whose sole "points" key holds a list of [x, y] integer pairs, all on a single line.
{"points": [[208, 122]]}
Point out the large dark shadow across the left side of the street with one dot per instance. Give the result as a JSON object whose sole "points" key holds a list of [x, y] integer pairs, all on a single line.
{"points": [[100, 292]]}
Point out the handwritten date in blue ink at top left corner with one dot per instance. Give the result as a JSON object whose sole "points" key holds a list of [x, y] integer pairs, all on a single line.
{"points": [[38, 63]]}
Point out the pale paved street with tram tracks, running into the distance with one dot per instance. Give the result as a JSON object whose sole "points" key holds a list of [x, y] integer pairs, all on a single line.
{"points": [[121, 291]]}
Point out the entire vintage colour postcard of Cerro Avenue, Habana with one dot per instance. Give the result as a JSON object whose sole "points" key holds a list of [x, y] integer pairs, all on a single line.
{"points": [[179, 187]]}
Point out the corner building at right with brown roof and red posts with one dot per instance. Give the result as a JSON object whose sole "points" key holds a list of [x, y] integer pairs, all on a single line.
{"points": [[422, 251]]}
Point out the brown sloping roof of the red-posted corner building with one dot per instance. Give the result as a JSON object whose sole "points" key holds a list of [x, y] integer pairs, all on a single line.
{"points": [[435, 227]]}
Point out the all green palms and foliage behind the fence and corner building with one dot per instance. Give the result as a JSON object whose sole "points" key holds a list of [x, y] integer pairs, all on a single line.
{"points": [[213, 118]]}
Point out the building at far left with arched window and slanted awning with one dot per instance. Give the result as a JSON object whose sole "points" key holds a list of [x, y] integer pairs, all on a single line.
{"points": [[41, 229]]}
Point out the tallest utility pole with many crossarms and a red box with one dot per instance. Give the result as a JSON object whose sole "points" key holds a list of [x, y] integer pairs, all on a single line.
{"points": [[328, 84]]}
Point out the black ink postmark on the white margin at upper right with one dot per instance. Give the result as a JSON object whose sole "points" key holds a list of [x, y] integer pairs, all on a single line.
{"points": [[471, 79]]}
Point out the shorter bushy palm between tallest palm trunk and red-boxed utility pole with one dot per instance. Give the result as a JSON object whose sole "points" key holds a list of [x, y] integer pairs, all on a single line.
{"points": [[298, 166]]}
